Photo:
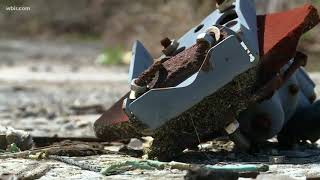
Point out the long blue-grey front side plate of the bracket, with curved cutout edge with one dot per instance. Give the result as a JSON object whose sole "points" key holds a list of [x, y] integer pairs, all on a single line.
{"points": [[157, 106]]}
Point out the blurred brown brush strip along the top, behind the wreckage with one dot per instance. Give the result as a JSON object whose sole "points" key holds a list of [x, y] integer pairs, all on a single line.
{"points": [[116, 24]]}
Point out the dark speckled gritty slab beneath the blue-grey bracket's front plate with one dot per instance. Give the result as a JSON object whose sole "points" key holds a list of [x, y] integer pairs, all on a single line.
{"points": [[181, 132]]}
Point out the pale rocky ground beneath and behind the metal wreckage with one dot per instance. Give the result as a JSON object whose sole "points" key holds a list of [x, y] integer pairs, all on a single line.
{"points": [[56, 89]]}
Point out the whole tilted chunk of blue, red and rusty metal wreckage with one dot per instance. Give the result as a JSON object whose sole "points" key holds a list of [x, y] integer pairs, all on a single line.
{"points": [[236, 74]]}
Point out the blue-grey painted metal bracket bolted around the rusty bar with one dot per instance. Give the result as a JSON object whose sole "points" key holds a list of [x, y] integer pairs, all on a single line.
{"points": [[157, 106]]}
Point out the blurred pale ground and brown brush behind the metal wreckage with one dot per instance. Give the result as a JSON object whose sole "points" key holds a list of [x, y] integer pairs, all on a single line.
{"points": [[63, 62]]}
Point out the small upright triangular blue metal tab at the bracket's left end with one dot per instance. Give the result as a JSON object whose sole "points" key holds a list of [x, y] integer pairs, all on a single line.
{"points": [[140, 61]]}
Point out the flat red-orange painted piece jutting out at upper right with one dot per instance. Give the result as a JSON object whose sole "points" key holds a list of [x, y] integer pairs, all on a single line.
{"points": [[279, 34]]}
